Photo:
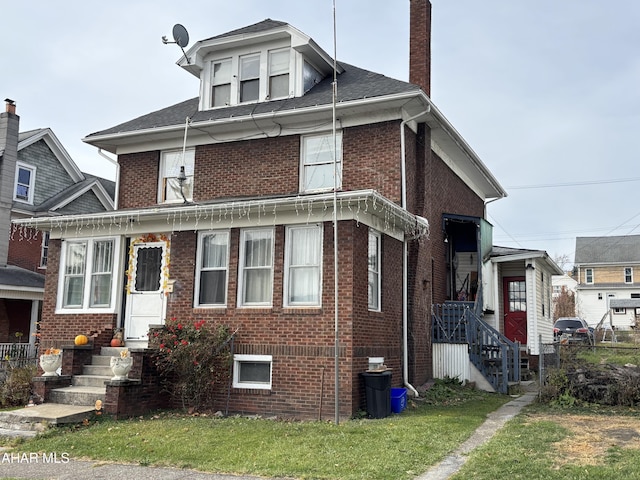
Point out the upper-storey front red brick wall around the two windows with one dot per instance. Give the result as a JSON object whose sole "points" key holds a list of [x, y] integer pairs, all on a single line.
{"points": [[270, 166]]}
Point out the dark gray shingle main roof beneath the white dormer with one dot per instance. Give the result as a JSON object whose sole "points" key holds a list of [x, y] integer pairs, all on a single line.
{"points": [[353, 84]]}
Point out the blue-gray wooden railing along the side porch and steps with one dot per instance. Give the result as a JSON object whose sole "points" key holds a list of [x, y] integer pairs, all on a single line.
{"points": [[493, 354]]}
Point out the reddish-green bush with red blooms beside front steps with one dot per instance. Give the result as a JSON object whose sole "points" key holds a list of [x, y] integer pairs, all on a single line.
{"points": [[192, 358]]}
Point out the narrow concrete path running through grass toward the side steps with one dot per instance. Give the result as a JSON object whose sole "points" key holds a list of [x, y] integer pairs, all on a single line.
{"points": [[492, 424]]}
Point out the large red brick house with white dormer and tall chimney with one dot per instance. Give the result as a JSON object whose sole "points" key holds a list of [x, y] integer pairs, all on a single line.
{"points": [[226, 213]]}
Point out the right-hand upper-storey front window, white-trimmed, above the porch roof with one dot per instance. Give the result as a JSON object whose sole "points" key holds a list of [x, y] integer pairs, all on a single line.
{"points": [[318, 159]]}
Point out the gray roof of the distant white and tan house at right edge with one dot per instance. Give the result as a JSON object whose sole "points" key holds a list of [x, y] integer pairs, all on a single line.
{"points": [[616, 249]]}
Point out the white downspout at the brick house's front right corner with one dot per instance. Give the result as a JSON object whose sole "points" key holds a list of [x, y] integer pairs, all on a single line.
{"points": [[405, 258]]}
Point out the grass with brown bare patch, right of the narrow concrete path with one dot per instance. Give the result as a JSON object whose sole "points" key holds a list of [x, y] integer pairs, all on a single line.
{"points": [[587, 443]]}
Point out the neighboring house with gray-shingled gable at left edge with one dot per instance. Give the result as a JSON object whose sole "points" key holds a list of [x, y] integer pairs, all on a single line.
{"points": [[37, 177]]}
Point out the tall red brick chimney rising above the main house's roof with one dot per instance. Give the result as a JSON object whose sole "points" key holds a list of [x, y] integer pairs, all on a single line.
{"points": [[420, 44]]}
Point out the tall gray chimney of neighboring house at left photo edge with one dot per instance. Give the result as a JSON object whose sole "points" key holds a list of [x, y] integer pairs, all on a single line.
{"points": [[9, 126]]}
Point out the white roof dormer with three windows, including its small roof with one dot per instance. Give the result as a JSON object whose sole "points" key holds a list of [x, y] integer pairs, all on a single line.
{"points": [[269, 60]]}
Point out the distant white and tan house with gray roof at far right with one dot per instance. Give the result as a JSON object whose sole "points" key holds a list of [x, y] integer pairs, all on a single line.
{"points": [[607, 270]]}
